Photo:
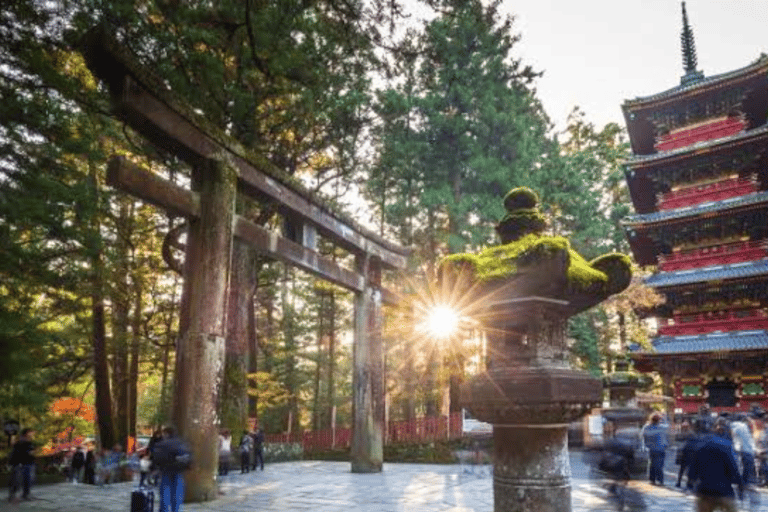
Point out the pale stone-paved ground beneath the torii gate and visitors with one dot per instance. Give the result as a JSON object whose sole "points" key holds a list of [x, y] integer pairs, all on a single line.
{"points": [[331, 487]]}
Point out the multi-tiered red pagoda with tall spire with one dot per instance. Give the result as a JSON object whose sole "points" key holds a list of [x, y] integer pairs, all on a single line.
{"points": [[698, 180]]}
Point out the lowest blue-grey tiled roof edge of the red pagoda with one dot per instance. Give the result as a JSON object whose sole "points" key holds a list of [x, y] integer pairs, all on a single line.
{"points": [[714, 342]]}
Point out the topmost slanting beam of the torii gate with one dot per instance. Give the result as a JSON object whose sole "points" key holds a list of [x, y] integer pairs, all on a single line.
{"points": [[147, 106]]}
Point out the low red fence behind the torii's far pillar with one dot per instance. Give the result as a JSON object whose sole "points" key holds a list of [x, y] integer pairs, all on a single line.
{"points": [[420, 430]]}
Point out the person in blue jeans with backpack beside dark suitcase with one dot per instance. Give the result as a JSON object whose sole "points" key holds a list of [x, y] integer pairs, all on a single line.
{"points": [[172, 457]]}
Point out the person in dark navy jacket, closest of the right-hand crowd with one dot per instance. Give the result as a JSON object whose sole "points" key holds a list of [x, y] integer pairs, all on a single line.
{"points": [[714, 471]]}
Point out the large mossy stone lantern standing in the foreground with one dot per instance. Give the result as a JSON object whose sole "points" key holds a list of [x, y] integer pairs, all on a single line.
{"points": [[524, 290]]}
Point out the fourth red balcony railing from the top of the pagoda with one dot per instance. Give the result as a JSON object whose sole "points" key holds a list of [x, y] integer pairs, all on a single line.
{"points": [[704, 323]]}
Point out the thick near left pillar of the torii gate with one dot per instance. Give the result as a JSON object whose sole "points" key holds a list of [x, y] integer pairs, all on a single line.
{"points": [[203, 322]]}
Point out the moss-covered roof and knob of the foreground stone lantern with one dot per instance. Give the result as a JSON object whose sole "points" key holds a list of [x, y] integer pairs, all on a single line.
{"points": [[530, 263]]}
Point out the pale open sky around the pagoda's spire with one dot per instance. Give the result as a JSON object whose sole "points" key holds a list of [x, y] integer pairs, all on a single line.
{"points": [[598, 53]]}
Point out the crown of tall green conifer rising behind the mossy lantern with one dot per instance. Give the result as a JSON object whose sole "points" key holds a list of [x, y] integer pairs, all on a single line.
{"points": [[463, 124]]}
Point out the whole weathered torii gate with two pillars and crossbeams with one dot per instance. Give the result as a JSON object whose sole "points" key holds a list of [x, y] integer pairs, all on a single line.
{"points": [[222, 168]]}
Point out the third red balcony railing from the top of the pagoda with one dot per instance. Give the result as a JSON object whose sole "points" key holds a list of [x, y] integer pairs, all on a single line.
{"points": [[714, 255]]}
